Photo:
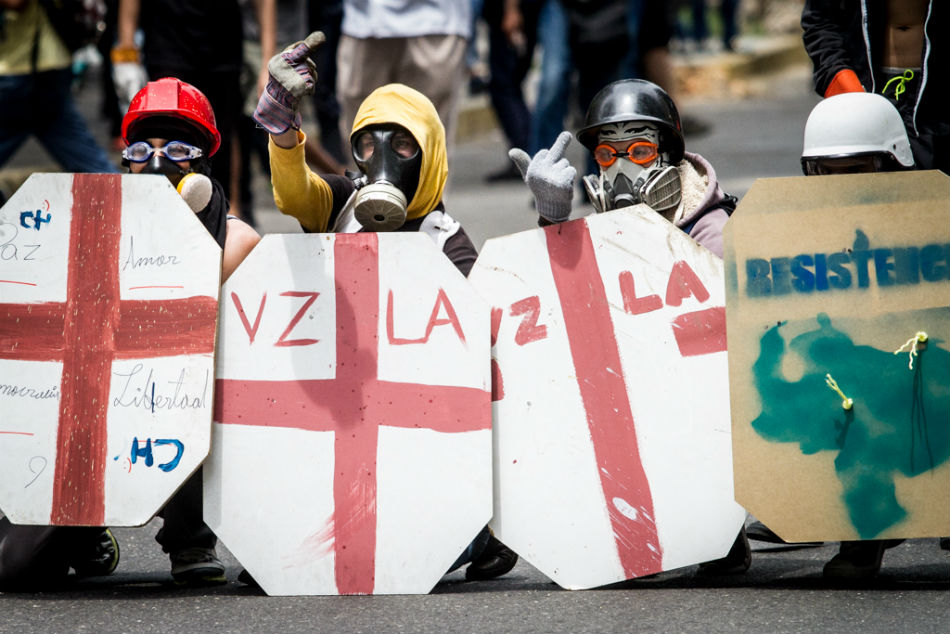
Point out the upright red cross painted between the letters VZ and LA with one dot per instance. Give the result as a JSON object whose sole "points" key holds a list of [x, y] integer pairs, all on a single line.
{"points": [[354, 405]]}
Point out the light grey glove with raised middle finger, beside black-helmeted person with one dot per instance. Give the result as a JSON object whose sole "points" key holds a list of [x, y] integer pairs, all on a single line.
{"points": [[550, 178]]}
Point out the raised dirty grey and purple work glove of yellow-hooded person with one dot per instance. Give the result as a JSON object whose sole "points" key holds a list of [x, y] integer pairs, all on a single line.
{"points": [[292, 75]]}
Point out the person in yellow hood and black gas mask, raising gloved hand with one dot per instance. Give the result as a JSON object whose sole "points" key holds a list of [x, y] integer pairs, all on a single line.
{"points": [[398, 143]]}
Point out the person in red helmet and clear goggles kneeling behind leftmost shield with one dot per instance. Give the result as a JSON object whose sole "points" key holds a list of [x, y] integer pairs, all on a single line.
{"points": [[170, 130]]}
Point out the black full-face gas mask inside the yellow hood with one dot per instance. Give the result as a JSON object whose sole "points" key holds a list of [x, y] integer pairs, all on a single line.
{"points": [[390, 159]]}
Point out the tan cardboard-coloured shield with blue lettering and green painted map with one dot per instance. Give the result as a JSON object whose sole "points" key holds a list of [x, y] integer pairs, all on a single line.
{"points": [[827, 277]]}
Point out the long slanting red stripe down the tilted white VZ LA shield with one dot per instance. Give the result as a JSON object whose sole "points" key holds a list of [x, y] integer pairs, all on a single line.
{"points": [[604, 394]]}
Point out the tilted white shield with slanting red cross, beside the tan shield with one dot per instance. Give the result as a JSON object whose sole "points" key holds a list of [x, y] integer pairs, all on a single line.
{"points": [[611, 398]]}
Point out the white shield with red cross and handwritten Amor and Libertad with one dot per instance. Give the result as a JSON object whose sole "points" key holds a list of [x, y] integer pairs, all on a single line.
{"points": [[108, 309]]}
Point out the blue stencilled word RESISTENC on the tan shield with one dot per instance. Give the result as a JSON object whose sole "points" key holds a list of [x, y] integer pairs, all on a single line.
{"points": [[844, 270]]}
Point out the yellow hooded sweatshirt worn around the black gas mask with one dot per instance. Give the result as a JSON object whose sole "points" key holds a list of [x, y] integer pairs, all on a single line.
{"points": [[300, 193]]}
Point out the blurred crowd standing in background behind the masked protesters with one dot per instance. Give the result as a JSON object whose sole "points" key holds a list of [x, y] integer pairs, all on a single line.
{"points": [[528, 68]]}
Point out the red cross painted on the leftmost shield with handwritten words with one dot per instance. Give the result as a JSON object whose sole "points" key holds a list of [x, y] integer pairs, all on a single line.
{"points": [[86, 332]]}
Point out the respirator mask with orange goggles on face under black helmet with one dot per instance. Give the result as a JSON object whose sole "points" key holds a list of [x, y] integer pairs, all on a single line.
{"points": [[639, 173]]}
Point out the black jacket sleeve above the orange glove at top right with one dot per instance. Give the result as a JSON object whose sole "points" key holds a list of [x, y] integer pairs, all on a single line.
{"points": [[829, 31]]}
